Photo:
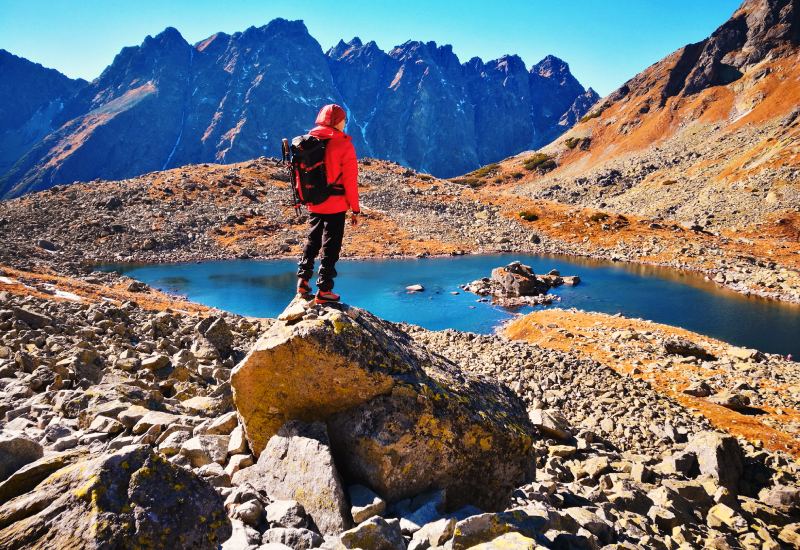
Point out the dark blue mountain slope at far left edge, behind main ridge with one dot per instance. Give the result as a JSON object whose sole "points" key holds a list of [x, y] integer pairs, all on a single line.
{"points": [[31, 96]]}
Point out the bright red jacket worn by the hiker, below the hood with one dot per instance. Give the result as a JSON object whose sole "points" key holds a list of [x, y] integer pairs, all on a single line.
{"points": [[340, 159]]}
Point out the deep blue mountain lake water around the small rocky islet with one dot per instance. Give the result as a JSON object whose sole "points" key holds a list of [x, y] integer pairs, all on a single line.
{"points": [[263, 288]]}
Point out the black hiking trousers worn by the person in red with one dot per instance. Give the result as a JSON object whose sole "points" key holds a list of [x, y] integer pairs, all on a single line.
{"points": [[327, 231]]}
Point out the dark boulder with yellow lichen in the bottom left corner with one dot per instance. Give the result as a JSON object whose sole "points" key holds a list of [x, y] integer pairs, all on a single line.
{"points": [[132, 498]]}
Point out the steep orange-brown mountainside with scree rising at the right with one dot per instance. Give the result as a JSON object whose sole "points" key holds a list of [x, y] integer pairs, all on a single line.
{"points": [[709, 135]]}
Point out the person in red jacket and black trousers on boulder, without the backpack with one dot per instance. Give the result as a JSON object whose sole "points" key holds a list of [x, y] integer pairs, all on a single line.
{"points": [[328, 217]]}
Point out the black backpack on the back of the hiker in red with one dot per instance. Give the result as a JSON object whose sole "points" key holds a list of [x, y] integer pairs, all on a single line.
{"points": [[309, 176]]}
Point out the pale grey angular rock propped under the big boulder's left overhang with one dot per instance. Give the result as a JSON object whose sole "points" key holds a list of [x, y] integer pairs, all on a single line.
{"points": [[297, 464]]}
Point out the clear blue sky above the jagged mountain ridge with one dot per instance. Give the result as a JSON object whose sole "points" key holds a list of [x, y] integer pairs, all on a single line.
{"points": [[605, 42]]}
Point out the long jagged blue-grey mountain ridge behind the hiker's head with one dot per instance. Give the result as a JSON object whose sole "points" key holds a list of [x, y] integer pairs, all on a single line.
{"points": [[231, 98]]}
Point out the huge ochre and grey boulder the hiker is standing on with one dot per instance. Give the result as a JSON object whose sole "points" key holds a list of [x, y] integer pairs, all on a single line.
{"points": [[401, 420]]}
